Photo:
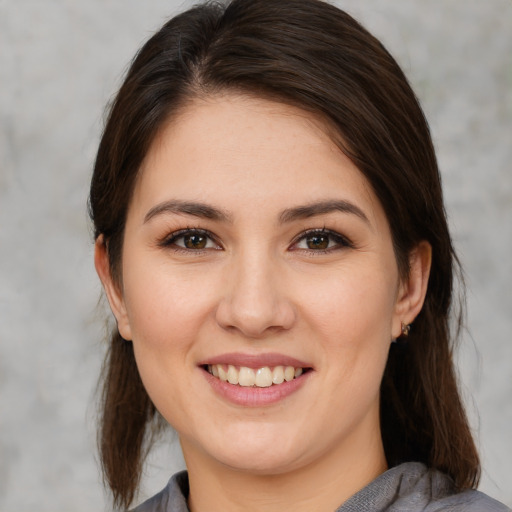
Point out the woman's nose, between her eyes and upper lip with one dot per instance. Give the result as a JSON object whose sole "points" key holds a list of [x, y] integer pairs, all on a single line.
{"points": [[254, 301]]}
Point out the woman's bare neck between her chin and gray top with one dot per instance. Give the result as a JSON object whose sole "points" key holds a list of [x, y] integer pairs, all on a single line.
{"points": [[322, 485]]}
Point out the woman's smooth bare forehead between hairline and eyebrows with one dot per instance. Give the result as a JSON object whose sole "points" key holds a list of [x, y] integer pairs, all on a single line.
{"points": [[239, 150]]}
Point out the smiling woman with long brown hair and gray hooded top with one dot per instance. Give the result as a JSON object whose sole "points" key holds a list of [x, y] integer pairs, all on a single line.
{"points": [[271, 236]]}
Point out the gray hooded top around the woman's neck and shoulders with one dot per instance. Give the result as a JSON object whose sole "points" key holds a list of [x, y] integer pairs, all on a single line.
{"points": [[410, 487]]}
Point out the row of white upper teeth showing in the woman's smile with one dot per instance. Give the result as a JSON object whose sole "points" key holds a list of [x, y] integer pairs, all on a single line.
{"points": [[247, 377]]}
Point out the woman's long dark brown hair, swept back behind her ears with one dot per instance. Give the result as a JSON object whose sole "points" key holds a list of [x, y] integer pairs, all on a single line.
{"points": [[312, 55]]}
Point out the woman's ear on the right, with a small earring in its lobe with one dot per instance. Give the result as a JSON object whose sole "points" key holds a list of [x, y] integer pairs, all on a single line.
{"points": [[412, 290]]}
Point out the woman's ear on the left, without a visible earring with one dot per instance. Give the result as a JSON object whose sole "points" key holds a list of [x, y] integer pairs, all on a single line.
{"points": [[112, 289]]}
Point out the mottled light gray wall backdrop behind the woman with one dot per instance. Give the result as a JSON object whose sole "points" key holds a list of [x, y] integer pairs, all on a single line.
{"points": [[60, 62]]}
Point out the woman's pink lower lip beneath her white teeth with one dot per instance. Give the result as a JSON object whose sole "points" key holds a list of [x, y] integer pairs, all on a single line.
{"points": [[253, 396]]}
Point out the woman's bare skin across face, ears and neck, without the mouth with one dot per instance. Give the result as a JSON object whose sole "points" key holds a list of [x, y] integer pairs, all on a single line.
{"points": [[261, 286]]}
